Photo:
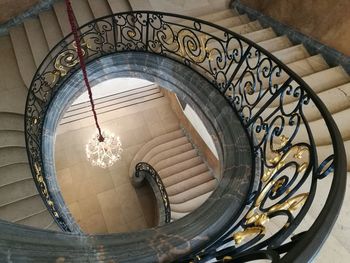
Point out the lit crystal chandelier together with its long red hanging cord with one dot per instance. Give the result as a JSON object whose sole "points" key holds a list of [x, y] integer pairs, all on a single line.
{"points": [[104, 148]]}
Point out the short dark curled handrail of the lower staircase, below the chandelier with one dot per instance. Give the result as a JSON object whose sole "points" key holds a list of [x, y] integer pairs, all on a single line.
{"points": [[146, 171]]}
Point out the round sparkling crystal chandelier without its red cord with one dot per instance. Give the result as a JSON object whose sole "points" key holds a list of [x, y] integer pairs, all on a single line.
{"points": [[104, 154]]}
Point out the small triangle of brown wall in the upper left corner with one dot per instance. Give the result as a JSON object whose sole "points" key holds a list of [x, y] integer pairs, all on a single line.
{"points": [[12, 8]]}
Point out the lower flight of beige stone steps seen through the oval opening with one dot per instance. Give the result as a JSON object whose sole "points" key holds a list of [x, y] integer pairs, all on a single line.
{"points": [[186, 177]]}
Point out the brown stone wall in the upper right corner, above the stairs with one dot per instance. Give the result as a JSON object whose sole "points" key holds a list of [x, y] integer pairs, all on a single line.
{"points": [[324, 20]]}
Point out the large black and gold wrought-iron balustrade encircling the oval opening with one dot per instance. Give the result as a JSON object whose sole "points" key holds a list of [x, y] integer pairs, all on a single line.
{"points": [[272, 103]]}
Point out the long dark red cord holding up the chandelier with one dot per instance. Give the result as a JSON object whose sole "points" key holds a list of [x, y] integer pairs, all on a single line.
{"points": [[74, 27]]}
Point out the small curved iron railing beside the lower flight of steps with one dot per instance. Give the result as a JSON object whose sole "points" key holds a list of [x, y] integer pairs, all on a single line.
{"points": [[152, 173]]}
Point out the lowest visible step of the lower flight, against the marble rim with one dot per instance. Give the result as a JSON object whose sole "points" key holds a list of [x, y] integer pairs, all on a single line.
{"points": [[180, 210]]}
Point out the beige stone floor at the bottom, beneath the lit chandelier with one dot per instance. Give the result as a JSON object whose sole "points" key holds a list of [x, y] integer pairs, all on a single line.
{"points": [[103, 200]]}
